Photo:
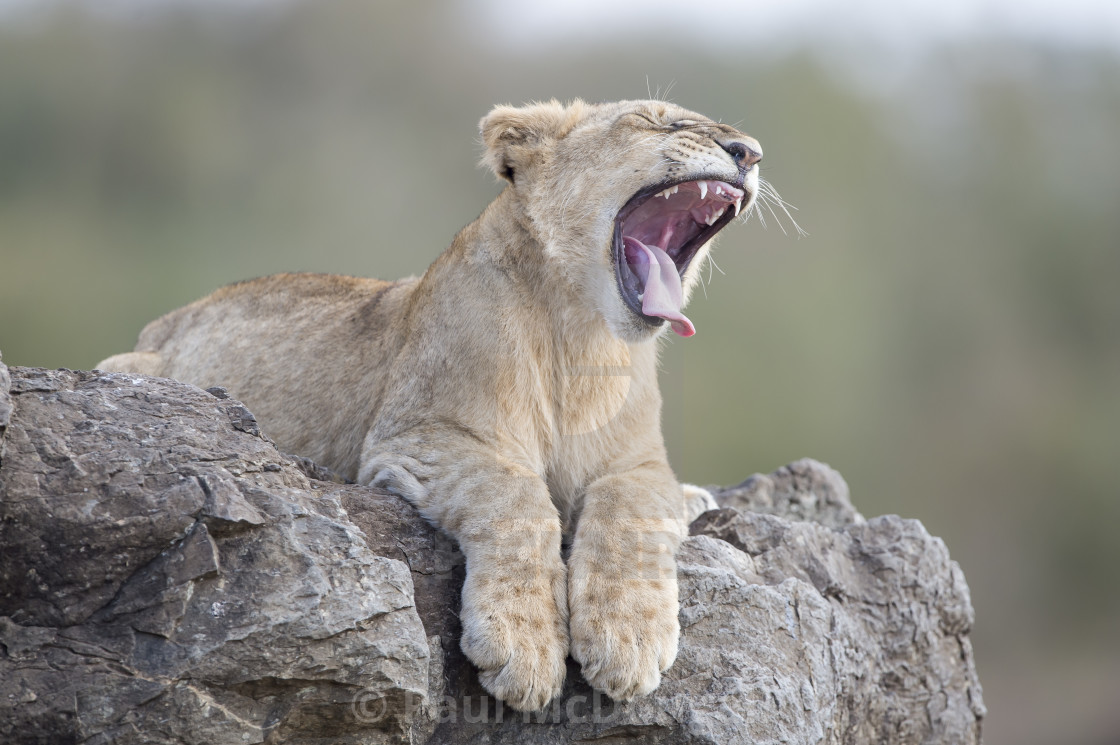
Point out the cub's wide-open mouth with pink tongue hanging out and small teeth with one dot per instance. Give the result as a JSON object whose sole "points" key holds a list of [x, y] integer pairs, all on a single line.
{"points": [[657, 236]]}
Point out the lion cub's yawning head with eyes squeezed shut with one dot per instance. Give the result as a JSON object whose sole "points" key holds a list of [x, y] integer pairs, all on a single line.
{"points": [[626, 199]]}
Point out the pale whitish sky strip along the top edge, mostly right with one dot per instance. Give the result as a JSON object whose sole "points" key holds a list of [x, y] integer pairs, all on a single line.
{"points": [[525, 24]]}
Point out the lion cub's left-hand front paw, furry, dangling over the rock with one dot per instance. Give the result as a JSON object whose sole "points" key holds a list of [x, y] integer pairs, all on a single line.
{"points": [[516, 631]]}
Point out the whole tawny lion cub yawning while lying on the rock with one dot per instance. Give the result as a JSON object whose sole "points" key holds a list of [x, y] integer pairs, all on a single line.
{"points": [[511, 393]]}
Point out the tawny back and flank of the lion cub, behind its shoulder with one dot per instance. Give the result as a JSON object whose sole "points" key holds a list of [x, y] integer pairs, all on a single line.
{"points": [[303, 352]]}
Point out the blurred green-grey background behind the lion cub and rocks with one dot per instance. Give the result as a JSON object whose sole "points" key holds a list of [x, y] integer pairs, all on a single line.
{"points": [[948, 337]]}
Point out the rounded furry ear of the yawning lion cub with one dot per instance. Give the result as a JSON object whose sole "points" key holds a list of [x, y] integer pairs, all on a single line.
{"points": [[514, 135]]}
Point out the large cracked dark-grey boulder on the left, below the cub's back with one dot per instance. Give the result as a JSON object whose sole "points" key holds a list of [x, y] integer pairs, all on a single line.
{"points": [[169, 578]]}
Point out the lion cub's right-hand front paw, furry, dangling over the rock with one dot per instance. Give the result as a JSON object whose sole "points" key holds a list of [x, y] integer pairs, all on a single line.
{"points": [[624, 632]]}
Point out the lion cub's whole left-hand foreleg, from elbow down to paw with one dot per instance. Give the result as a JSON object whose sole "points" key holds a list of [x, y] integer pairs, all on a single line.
{"points": [[515, 598]]}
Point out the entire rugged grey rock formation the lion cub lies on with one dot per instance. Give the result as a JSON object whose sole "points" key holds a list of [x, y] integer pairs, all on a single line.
{"points": [[169, 576]]}
